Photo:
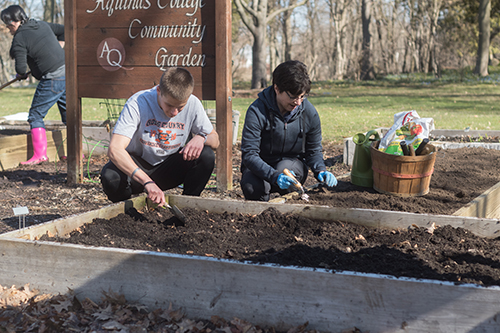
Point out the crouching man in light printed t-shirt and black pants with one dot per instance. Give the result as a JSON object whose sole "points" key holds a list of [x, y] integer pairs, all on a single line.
{"points": [[162, 139]]}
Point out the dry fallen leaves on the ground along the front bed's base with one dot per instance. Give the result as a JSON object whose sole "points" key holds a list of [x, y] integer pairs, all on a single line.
{"points": [[26, 310]]}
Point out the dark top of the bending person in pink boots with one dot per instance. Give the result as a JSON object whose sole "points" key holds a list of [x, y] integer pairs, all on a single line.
{"points": [[36, 44]]}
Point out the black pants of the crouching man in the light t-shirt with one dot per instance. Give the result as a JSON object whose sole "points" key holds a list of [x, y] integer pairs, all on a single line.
{"points": [[171, 173]]}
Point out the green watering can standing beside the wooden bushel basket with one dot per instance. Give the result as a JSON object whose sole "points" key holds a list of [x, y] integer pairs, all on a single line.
{"points": [[361, 172]]}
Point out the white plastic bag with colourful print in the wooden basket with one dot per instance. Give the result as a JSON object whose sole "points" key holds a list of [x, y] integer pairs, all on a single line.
{"points": [[409, 127]]}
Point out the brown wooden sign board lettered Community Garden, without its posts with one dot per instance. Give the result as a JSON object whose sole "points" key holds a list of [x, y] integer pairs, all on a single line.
{"points": [[124, 46]]}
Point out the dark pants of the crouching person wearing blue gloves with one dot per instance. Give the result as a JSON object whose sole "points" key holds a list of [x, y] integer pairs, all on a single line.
{"points": [[256, 188]]}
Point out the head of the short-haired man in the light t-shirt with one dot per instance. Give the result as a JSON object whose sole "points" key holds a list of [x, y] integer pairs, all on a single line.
{"points": [[177, 82]]}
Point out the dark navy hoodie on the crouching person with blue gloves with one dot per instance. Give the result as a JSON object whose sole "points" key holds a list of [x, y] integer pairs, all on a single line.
{"points": [[267, 138]]}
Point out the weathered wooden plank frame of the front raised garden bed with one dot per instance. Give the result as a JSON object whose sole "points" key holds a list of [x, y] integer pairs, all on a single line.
{"points": [[263, 294]]}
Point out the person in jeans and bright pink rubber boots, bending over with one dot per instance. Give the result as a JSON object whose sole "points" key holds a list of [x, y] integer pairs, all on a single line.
{"points": [[39, 46]]}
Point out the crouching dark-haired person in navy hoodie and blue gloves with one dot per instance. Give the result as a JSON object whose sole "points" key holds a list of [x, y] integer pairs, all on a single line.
{"points": [[282, 129]]}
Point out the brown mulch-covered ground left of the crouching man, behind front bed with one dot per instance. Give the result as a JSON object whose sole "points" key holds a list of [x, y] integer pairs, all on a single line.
{"points": [[43, 189]]}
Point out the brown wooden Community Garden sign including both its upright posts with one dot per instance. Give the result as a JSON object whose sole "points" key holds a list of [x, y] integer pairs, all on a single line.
{"points": [[117, 48]]}
